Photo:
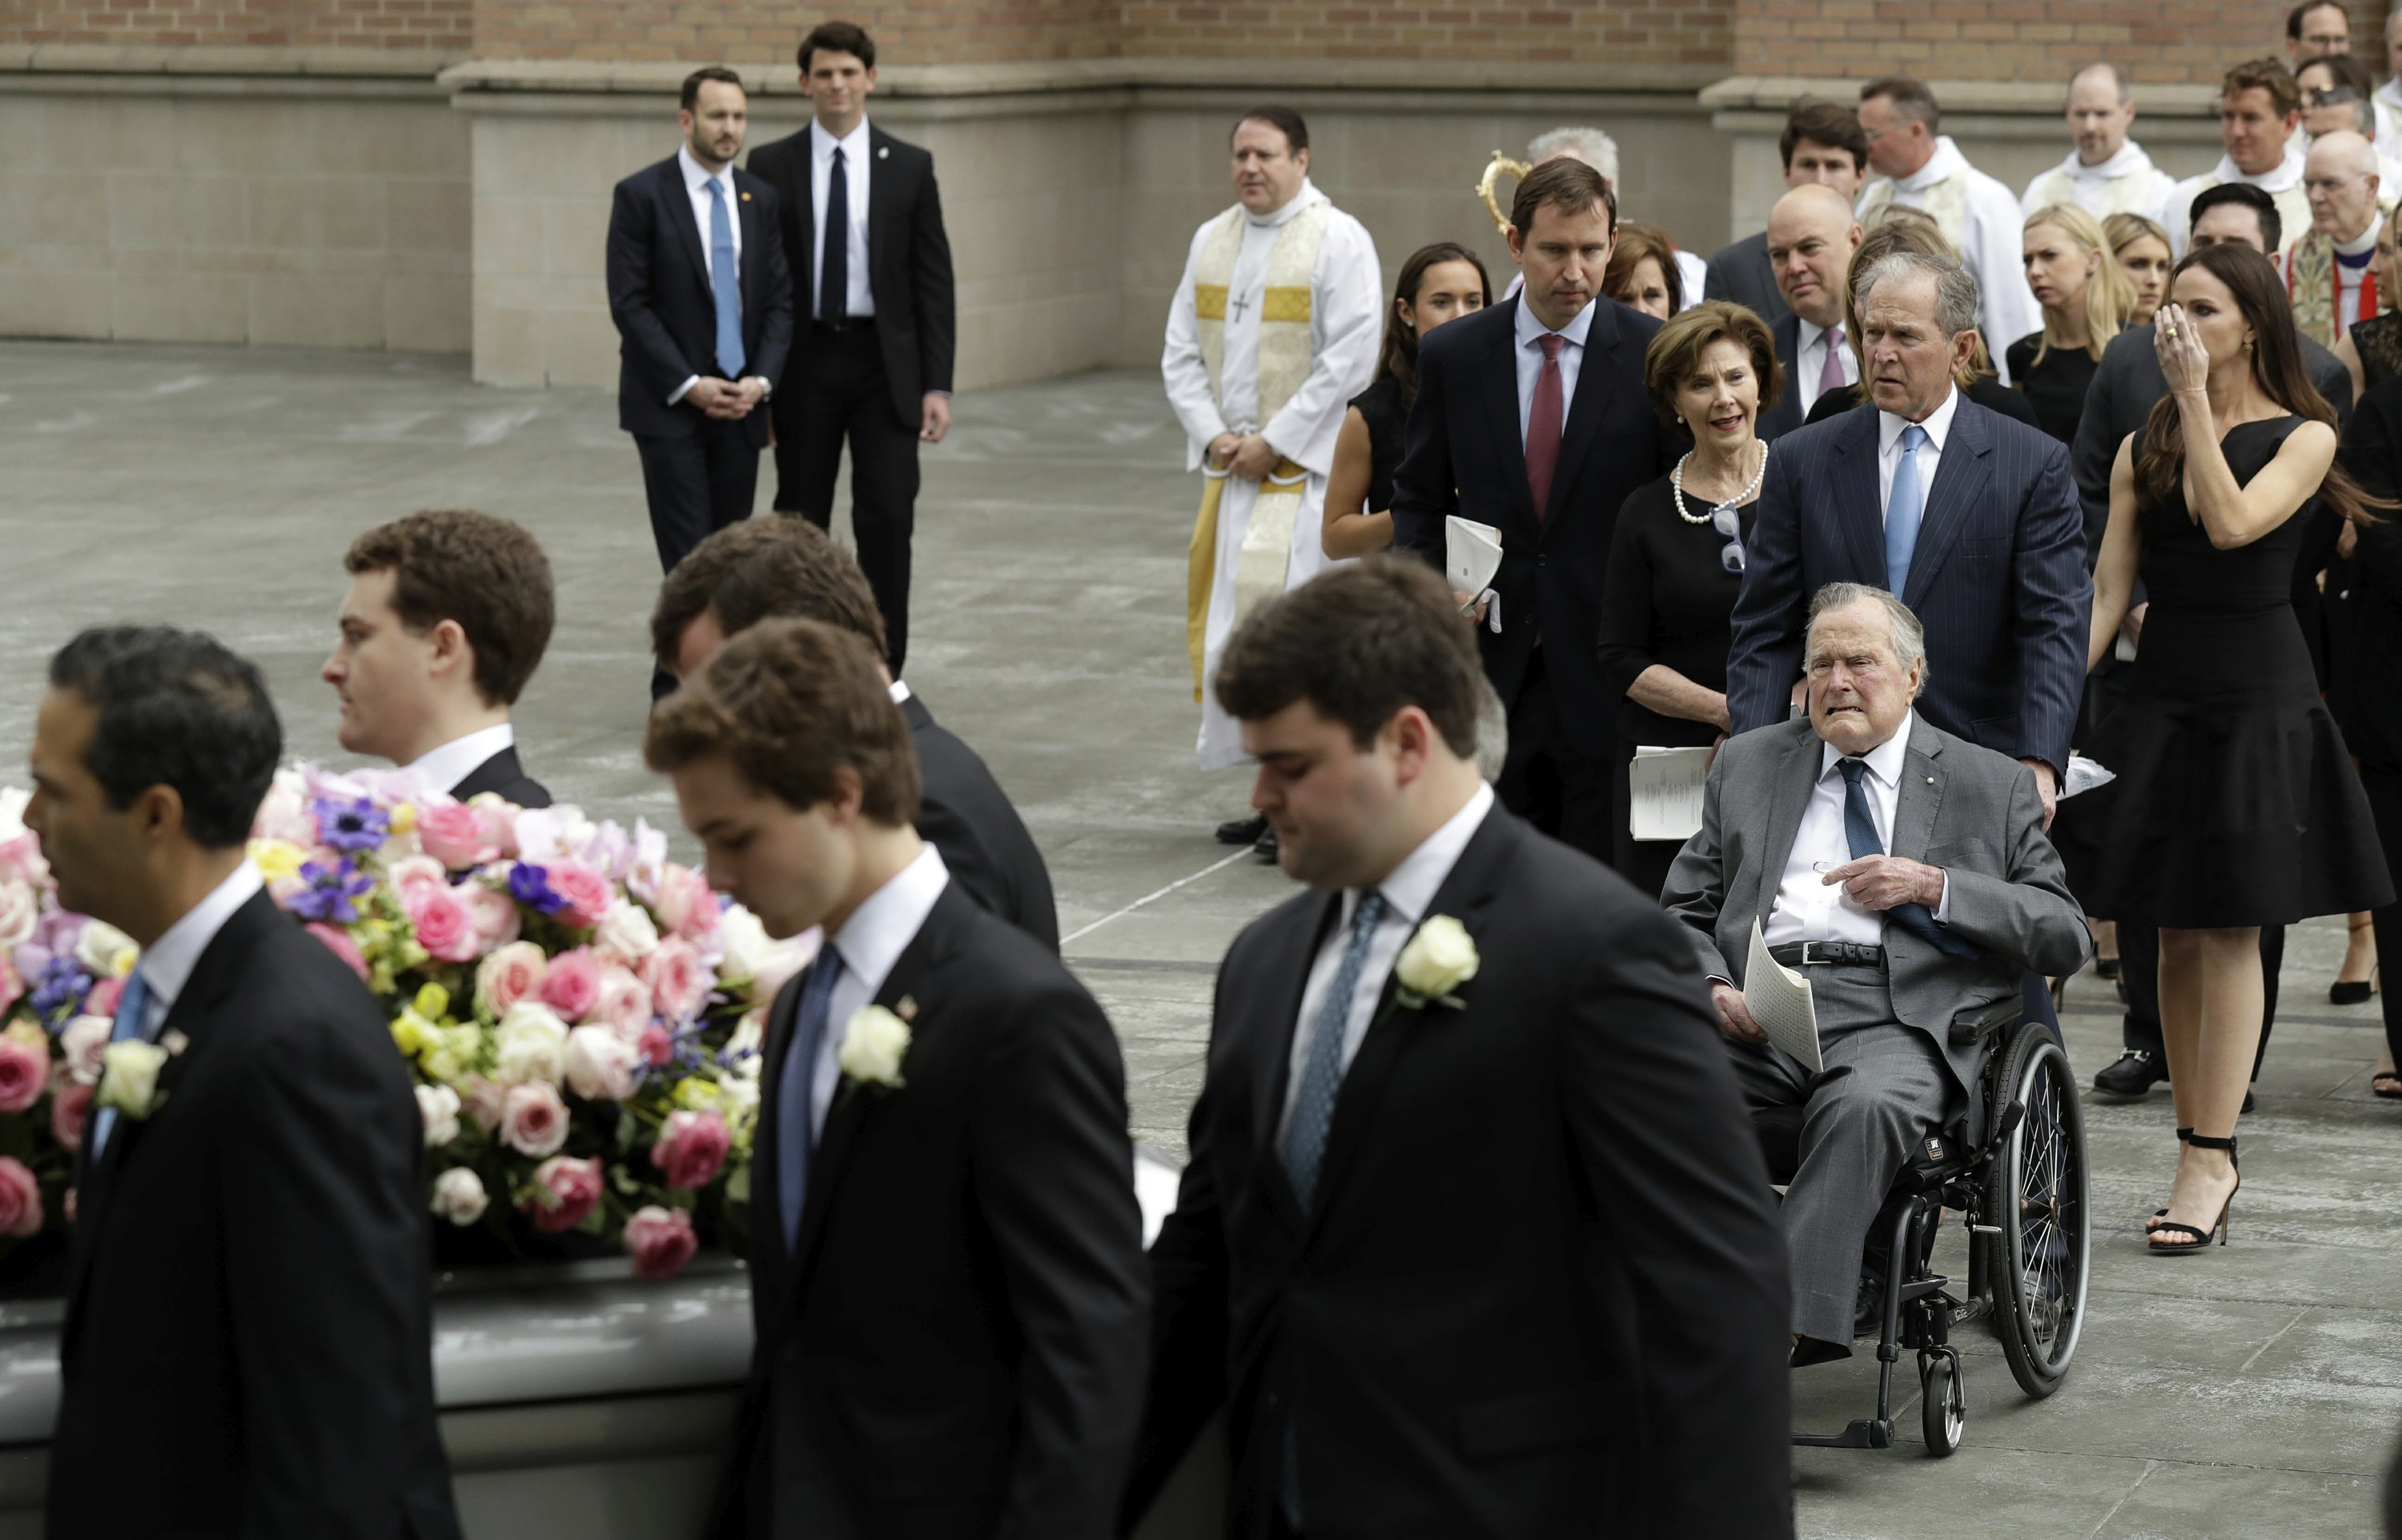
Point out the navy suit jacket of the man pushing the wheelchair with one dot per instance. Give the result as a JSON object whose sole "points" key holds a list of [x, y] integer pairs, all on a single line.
{"points": [[1997, 578]]}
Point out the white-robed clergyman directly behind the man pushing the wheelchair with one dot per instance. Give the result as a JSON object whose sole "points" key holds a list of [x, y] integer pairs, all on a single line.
{"points": [[1923, 169]]}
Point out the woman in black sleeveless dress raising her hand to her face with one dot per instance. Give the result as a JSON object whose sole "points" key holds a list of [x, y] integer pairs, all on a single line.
{"points": [[2235, 804]]}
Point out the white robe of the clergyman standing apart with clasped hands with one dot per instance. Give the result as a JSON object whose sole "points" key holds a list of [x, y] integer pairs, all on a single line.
{"points": [[1346, 330]]}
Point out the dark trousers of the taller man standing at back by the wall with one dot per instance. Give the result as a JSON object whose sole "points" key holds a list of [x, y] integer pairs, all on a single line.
{"points": [[837, 390]]}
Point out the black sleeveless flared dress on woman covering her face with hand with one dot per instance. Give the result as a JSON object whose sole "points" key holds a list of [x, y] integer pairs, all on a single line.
{"points": [[2235, 799]]}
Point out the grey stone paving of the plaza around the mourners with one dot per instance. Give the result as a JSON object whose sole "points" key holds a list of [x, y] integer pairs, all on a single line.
{"points": [[2245, 1395]]}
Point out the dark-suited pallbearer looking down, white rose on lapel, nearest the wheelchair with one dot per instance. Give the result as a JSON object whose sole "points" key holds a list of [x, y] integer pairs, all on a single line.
{"points": [[1476, 1241]]}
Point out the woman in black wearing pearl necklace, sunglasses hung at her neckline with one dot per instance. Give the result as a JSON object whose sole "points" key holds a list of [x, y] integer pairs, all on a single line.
{"points": [[1678, 551]]}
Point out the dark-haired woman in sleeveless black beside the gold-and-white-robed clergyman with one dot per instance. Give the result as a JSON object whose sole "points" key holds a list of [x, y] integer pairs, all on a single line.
{"points": [[1438, 285]]}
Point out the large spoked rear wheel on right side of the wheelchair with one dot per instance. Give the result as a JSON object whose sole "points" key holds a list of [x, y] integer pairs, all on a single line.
{"points": [[2038, 1202]]}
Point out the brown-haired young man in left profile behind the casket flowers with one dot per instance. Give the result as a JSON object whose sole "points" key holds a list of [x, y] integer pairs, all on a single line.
{"points": [[446, 621]]}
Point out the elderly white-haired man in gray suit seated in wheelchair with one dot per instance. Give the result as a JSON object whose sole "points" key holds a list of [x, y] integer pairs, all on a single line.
{"points": [[1908, 873]]}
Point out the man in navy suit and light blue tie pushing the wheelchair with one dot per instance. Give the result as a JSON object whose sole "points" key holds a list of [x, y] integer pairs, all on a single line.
{"points": [[1973, 520]]}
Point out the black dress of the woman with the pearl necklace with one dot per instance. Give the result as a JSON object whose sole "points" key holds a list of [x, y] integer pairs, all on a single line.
{"points": [[1668, 599]]}
